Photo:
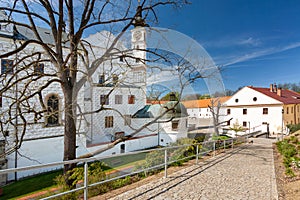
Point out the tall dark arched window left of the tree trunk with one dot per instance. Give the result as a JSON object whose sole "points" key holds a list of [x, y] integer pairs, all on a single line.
{"points": [[52, 118]]}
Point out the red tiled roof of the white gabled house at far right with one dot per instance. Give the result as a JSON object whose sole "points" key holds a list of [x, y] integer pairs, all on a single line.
{"points": [[287, 96]]}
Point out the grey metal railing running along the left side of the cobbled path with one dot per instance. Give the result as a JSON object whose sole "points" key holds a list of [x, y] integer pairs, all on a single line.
{"points": [[200, 149]]}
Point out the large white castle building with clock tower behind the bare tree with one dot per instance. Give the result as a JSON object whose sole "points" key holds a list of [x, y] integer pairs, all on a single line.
{"points": [[114, 93]]}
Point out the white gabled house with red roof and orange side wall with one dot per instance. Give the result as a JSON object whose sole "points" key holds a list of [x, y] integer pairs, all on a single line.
{"points": [[256, 109]]}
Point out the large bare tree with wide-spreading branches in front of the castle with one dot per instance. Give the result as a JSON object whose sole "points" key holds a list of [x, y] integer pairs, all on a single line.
{"points": [[57, 57]]}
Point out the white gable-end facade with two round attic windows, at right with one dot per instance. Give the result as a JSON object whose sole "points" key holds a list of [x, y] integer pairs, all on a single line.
{"points": [[252, 109]]}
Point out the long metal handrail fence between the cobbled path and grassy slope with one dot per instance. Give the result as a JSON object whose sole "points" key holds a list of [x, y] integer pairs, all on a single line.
{"points": [[161, 159]]}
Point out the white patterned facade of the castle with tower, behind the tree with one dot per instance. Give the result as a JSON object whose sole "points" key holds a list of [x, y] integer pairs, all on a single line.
{"points": [[125, 86]]}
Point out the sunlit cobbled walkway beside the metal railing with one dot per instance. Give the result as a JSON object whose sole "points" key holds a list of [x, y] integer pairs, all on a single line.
{"points": [[243, 173]]}
